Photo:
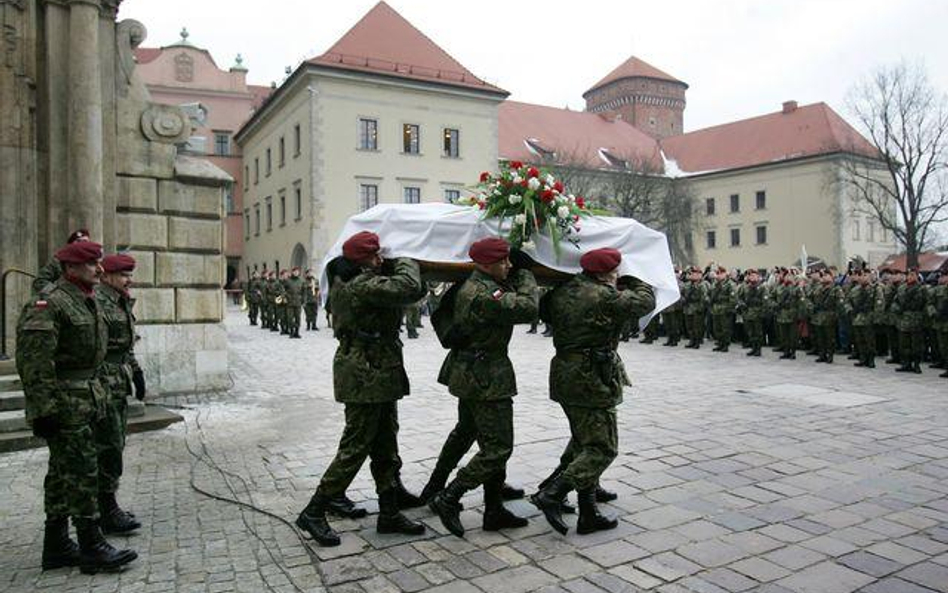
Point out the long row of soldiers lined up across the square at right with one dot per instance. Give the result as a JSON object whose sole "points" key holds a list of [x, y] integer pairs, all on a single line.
{"points": [[863, 313]]}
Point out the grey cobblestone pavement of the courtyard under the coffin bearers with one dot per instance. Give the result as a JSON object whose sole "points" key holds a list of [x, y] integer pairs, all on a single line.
{"points": [[734, 474]]}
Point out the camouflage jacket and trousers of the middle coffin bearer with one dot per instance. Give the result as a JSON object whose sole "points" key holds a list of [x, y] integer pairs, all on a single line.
{"points": [[481, 375]]}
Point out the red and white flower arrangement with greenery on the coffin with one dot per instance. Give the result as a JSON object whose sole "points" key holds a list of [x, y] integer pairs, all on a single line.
{"points": [[533, 200]]}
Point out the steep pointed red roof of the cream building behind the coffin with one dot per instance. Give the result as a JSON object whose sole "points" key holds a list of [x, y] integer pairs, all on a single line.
{"points": [[384, 42]]}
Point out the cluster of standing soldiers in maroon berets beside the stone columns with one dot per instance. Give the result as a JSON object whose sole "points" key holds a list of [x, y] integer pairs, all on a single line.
{"points": [[76, 361]]}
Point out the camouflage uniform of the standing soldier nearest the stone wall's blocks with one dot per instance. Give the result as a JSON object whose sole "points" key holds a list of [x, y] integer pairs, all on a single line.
{"points": [[116, 375]]}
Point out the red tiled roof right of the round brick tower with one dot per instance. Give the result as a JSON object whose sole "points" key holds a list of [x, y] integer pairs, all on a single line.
{"points": [[792, 133]]}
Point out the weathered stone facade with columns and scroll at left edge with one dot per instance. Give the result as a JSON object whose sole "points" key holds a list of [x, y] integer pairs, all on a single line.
{"points": [[83, 146]]}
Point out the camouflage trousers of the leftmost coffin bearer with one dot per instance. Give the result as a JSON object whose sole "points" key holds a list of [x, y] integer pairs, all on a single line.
{"points": [[371, 431]]}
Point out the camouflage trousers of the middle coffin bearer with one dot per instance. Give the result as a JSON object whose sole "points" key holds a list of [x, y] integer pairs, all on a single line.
{"points": [[491, 423]]}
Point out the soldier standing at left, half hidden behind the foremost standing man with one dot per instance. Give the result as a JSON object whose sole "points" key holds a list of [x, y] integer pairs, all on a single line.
{"points": [[119, 374]]}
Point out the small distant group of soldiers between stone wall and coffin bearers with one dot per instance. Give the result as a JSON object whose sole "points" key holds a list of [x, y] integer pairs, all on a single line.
{"points": [[280, 301]]}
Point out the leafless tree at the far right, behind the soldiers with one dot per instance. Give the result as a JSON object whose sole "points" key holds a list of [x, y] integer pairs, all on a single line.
{"points": [[904, 186]]}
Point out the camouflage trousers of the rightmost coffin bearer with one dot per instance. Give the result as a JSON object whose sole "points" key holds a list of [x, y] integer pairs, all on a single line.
{"points": [[593, 445]]}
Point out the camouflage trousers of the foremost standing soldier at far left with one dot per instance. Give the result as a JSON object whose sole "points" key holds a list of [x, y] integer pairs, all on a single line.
{"points": [[72, 483]]}
